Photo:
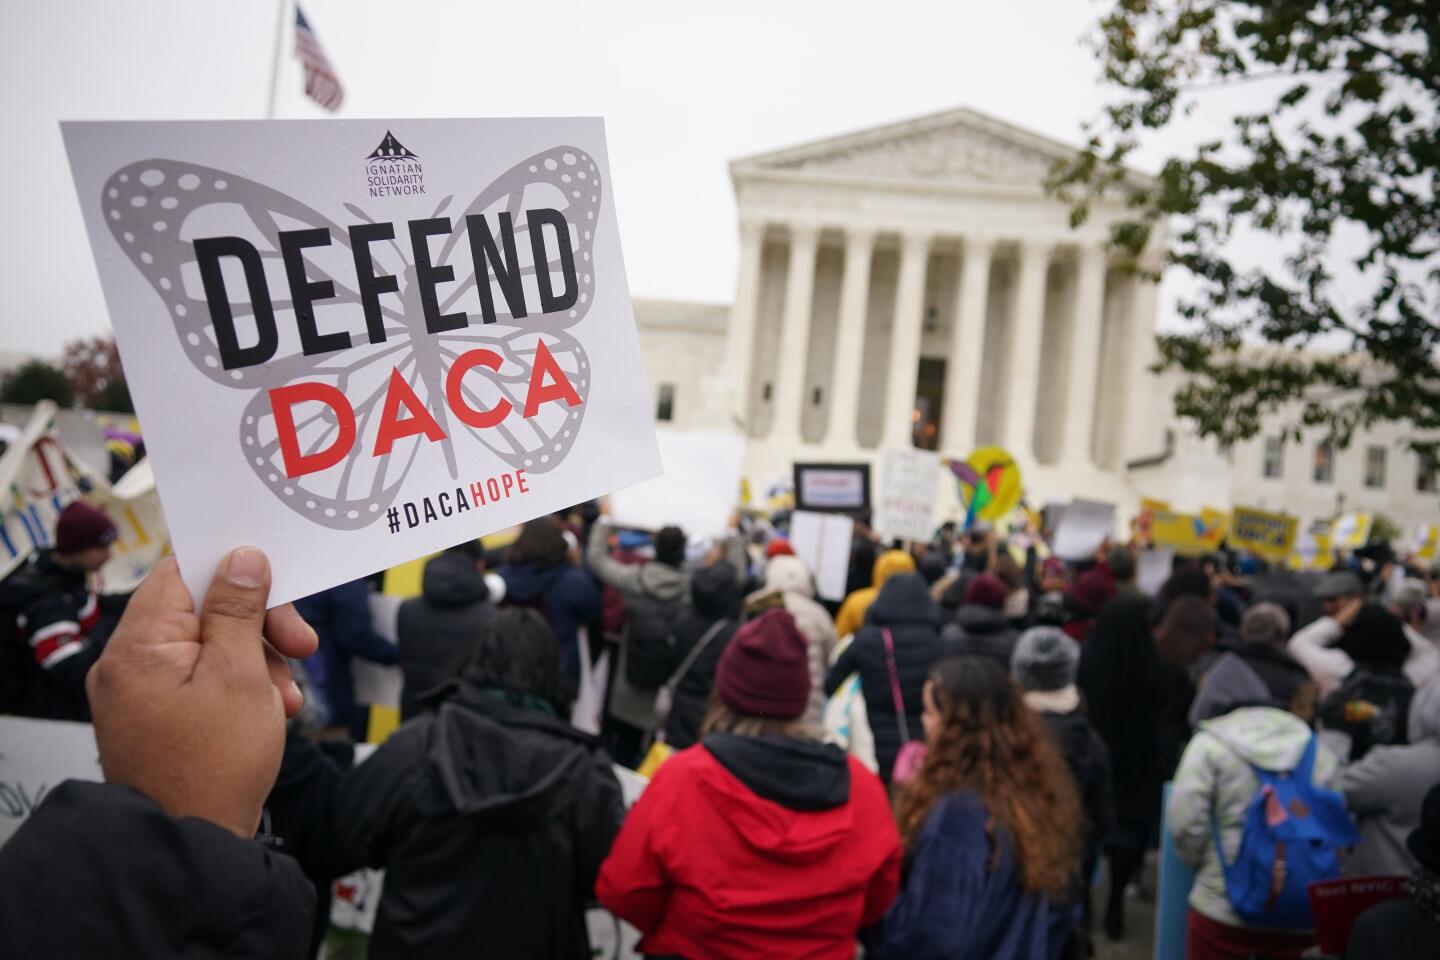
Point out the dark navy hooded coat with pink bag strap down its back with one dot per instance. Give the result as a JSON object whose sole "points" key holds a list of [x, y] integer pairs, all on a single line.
{"points": [[906, 610]]}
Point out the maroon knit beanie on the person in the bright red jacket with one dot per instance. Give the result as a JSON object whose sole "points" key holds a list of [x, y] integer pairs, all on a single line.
{"points": [[765, 670]]}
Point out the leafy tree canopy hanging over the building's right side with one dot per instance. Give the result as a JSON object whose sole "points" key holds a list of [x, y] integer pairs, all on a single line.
{"points": [[1341, 145]]}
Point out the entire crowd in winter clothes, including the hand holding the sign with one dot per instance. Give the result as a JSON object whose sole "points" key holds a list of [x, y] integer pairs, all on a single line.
{"points": [[935, 766]]}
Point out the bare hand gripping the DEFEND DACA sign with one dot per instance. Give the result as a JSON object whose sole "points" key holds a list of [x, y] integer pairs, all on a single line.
{"points": [[191, 710]]}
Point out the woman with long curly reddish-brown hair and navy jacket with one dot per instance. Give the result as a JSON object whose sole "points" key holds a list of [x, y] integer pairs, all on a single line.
{"points": [[991, 830]]}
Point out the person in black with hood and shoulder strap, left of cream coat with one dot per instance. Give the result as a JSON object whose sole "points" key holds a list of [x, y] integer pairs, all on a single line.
{"points": [[715, 599]]}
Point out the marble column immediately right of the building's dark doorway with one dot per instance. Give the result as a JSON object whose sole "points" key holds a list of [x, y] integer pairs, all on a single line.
{"points": [[963, 376]]}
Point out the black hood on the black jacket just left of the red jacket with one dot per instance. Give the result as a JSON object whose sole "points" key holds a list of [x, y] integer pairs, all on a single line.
{"points": [[506, 764]]}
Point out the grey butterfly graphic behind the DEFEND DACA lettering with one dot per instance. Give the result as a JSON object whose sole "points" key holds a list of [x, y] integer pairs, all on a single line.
{"points": [[158, 208]]}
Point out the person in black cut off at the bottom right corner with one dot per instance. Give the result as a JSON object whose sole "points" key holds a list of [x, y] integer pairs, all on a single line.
{"points": [[1408, 929]]}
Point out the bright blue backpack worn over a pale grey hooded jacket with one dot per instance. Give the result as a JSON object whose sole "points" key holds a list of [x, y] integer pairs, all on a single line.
{"points": [[1291, 840]]}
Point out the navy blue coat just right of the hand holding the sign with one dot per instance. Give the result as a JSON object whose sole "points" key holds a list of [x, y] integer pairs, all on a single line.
{"points": [[341, 618]]}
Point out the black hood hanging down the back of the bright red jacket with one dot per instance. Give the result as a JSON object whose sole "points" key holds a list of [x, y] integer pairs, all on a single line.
{"points": [[800, 775]]}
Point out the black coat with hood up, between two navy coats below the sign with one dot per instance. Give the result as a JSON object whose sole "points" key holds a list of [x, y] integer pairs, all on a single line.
{"points": [[438, 630]]}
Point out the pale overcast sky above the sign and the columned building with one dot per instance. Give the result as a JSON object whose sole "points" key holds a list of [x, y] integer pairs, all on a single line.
{"points": [[685, 89]]}
